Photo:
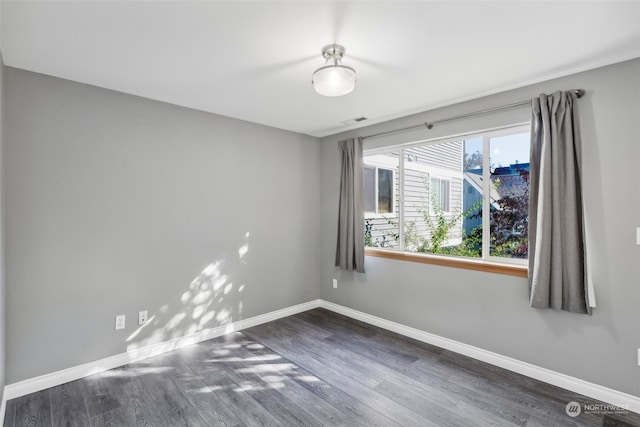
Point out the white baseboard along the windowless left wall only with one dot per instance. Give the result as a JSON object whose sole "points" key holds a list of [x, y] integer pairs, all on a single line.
{"points": [[53, 379]]}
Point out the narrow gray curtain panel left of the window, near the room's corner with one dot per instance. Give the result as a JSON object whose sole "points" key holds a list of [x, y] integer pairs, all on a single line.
{"points": [[350, 245]]}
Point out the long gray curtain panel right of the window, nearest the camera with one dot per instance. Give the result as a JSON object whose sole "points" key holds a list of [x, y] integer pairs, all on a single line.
{"points": [[557, 255]]}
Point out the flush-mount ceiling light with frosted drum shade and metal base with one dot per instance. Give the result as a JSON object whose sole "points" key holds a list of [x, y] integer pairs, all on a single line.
{"points": [[335, 79]]}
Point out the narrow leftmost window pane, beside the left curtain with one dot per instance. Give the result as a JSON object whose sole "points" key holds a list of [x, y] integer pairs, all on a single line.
{"points": [[381, 188]]}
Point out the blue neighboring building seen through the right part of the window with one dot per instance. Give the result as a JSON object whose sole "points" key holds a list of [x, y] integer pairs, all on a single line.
{"points": [[505, 181]]}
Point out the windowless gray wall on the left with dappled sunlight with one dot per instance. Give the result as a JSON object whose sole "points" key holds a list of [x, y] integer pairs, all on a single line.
{"points": [[116, 204]]}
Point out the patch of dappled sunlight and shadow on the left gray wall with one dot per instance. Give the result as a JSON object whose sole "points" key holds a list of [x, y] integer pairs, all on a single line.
{"points": [[212, 299]]}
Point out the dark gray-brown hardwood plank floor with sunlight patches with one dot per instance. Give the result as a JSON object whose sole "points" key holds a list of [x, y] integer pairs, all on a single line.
{"points": [[315, 368]]}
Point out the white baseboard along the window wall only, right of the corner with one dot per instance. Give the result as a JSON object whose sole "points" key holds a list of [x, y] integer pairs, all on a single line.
{"points": [[586, 388]]}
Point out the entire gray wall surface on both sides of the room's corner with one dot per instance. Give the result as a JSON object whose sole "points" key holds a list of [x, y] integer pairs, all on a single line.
{"points": [[116, 204]]}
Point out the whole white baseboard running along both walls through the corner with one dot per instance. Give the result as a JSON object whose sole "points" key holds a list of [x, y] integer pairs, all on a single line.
{"points": [[586, 388]]}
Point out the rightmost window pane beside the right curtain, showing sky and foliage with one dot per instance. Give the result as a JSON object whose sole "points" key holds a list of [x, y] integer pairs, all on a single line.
{"points": [[509, 158]]}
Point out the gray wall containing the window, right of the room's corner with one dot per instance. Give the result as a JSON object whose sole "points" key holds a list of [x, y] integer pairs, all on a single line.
{"points": [[491, 311]]}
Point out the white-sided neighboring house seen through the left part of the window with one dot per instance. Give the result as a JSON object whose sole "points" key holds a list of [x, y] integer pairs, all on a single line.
{"points": [[433, 182]]}
